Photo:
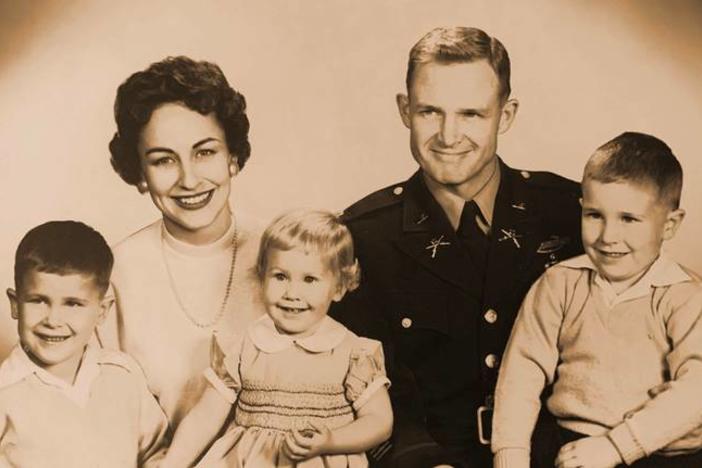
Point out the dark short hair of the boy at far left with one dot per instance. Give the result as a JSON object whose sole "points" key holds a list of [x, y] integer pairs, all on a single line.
{"points": [[64, 247]]}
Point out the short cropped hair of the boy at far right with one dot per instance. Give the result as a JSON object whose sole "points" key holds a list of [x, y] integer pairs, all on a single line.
{"points": [[641, 159]]}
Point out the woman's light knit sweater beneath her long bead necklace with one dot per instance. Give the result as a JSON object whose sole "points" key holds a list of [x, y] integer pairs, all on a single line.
{"points": [[148, 321]]}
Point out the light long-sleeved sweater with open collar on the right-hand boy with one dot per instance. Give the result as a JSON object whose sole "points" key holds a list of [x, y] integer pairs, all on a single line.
{"points": [[603, 352]]}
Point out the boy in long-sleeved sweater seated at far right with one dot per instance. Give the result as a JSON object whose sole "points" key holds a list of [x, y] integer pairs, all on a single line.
{"points": [[607, 327]]}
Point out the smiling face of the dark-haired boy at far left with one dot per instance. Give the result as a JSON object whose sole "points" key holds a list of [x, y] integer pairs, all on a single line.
{"points": [[56, 316]]}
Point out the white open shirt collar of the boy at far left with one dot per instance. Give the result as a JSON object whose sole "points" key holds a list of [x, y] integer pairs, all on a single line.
{"points": [[18, 366]]}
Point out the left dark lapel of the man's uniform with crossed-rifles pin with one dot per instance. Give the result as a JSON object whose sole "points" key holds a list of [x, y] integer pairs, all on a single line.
{"points": [[428, 238]]}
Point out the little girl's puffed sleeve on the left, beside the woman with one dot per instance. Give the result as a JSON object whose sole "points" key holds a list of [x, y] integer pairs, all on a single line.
{"points": [[223, 373]]}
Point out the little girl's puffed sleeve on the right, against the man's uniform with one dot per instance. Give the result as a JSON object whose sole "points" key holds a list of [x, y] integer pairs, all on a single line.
{"points": [[366, 372]]}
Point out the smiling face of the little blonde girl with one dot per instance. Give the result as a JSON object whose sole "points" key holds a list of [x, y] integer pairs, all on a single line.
{"points": [[298, 288]]}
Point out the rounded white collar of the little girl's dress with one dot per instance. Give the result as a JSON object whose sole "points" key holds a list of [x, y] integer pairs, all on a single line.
{"points": [[268, 339]]}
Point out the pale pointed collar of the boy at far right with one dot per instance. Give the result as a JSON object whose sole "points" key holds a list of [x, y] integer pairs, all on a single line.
{"points": [[664, 271]]}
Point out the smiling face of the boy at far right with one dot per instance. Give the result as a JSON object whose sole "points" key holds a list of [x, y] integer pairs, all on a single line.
{"points": [[623, 227]]}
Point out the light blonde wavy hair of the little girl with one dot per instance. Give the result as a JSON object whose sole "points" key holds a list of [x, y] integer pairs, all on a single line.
{"points": [[316, 231]]}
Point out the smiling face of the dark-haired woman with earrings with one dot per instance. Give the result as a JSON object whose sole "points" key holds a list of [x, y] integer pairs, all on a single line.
{"points": [[187, 169]]}
